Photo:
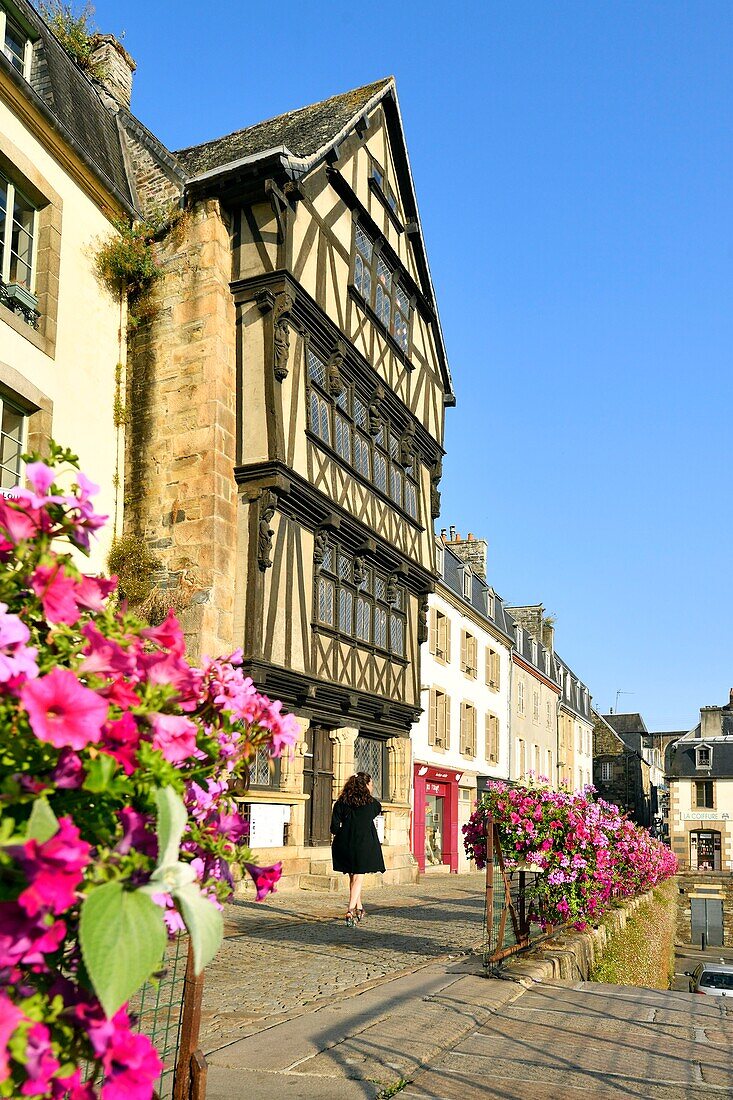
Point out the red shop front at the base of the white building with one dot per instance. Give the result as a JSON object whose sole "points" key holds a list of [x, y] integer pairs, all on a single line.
{"points": [[435, 820]]}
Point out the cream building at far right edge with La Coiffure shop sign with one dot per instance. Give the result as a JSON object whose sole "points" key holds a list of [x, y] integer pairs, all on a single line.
{"points": [[702, 793]]}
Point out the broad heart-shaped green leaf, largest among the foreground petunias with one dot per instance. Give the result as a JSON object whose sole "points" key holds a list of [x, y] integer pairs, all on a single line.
{"points": [[123, 937]]}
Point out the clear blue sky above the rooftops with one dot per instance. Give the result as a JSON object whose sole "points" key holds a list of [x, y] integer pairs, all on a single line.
{"points": [[574, 163]]}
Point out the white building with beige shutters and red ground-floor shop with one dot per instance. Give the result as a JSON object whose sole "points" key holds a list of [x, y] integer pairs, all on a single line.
{"points": [[464, 730]]}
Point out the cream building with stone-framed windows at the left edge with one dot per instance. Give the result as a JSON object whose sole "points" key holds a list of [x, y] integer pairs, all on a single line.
{"points": [[63, 183]]}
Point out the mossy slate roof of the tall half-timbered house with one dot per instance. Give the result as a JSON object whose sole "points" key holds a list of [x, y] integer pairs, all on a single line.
{"points": [[302, 133]]}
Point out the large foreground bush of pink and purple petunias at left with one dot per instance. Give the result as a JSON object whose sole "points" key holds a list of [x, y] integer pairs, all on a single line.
{"points": [[117, 823]]}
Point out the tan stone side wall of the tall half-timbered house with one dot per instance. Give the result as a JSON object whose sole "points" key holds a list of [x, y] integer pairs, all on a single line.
{"points": [[181, 494]]}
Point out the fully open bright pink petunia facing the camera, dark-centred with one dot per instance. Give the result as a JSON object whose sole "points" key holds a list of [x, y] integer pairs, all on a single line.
{"points": [[62, 711]]}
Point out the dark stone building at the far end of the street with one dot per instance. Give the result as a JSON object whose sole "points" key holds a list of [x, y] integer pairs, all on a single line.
{"points": [[621, 772]]}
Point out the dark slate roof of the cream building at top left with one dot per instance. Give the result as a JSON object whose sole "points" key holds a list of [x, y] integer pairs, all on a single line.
{"points": [[73, 106]]}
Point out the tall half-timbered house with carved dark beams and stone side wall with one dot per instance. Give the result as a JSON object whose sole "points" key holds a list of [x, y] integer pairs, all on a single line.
{"points": [[288, 402]]}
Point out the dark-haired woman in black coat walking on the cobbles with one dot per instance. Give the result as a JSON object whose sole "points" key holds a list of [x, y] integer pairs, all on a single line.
{"points": [[356, 849]]}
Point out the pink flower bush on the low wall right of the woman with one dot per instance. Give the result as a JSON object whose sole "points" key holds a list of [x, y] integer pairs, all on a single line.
{"points": [[588, 853]]}
